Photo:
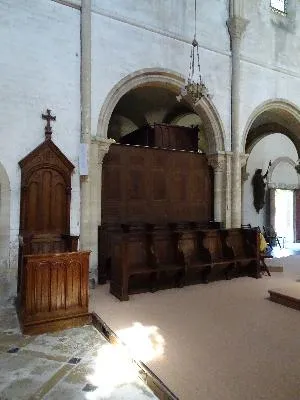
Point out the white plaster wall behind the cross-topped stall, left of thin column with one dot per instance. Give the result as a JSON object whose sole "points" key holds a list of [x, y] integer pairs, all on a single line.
{"points": [[39, 69]]}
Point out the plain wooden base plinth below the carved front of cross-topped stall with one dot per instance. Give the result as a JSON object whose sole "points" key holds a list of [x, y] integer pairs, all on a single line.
{"points": [[38, 327]]}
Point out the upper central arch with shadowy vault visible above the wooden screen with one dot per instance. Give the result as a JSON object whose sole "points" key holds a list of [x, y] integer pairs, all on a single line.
{"points": [[153, 93]]}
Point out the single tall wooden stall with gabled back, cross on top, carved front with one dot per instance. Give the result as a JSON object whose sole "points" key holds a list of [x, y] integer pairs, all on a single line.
{"points": [[53, 274]]}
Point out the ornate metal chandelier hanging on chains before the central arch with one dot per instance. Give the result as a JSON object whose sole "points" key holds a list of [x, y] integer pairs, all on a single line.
{"points": [[194, 87]]}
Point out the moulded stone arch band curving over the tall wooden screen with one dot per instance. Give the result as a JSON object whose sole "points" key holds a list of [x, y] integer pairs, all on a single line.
{"points": [[173, 81]]}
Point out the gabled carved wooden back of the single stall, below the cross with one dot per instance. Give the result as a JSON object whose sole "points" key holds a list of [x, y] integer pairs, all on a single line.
{"points": [[45, 191]]}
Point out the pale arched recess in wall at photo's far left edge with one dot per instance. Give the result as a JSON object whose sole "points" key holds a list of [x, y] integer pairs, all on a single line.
{"points": [[5, 278]]}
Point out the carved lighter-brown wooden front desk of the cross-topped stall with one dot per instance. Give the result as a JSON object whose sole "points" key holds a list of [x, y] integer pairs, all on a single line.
{"points": [[54, 290]]}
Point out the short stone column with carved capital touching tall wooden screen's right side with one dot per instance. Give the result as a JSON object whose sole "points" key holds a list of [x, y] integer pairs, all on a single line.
{"points": [[217, 162]]}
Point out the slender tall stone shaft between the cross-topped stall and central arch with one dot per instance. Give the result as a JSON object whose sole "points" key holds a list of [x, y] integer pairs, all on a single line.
{"points": [[85, 138]]}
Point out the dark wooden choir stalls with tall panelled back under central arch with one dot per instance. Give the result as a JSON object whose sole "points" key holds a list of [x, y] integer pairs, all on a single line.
{"points": [[157, 227]]}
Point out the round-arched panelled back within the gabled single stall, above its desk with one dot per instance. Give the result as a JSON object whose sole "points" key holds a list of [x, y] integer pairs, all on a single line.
{"points": [[44, 212]]}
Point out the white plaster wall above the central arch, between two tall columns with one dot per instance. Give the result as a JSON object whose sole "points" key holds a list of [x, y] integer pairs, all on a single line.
{"points": [[143, 35]]}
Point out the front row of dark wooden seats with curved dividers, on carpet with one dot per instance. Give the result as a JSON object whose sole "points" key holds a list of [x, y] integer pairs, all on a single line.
{"points": [[164, 257]]}
